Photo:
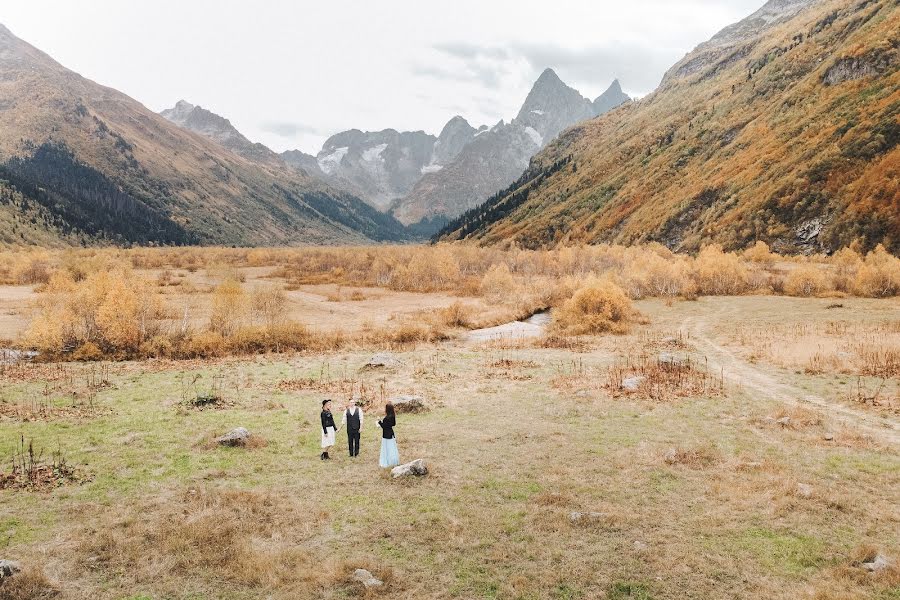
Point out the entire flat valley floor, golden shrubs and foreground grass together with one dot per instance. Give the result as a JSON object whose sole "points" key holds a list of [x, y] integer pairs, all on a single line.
{"points": [[718, 426]]}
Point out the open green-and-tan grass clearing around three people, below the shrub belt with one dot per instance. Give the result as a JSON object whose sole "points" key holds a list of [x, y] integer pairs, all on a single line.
{"points": [[767, 469]]}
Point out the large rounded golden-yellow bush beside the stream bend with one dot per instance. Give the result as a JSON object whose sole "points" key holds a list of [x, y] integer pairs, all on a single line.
{"points": [[599, 306]]}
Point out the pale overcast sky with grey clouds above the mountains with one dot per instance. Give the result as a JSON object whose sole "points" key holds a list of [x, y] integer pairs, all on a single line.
{"points": [[291, 73]]}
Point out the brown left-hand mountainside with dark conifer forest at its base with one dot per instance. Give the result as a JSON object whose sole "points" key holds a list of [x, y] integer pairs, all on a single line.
{"points": [[105, 165]]}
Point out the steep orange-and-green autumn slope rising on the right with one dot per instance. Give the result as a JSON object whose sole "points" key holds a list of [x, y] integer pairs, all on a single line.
{"points": [[781, 128]]}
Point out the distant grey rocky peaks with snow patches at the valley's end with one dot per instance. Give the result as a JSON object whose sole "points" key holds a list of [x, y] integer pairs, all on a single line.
{"points": [[420, 178]]}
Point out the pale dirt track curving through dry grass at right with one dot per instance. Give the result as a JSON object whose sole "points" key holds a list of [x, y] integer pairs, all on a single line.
{"points": [[767, 385]]}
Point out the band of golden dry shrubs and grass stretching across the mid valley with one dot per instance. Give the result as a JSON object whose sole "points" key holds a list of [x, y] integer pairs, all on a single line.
{"points": [[156, 302]]}
